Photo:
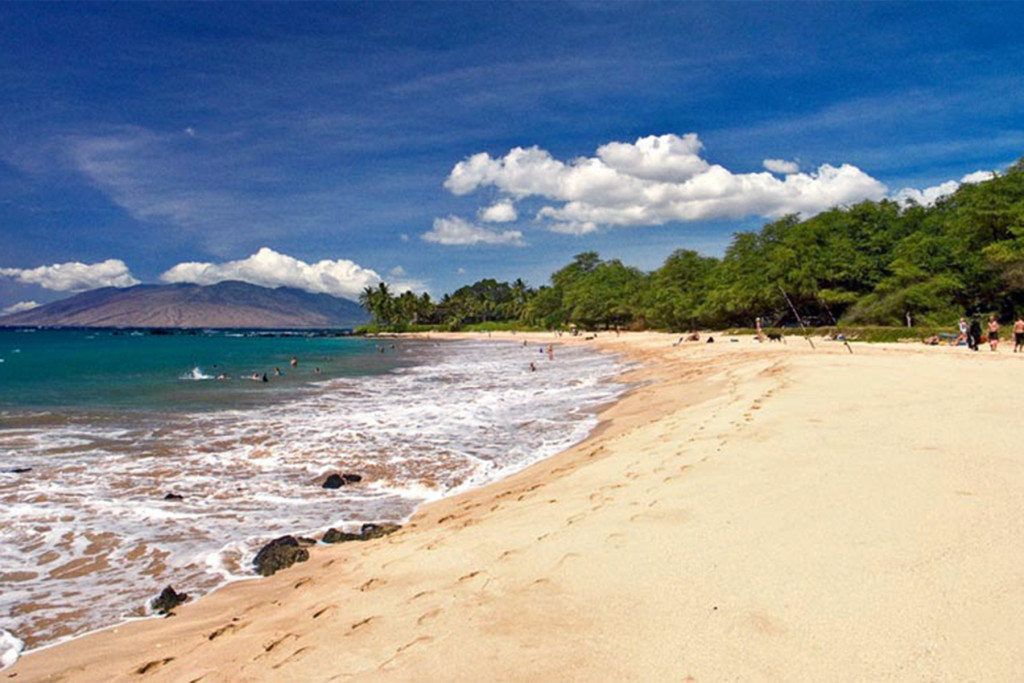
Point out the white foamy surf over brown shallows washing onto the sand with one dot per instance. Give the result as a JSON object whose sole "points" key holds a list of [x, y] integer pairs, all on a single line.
{"points": [[463, 415]]}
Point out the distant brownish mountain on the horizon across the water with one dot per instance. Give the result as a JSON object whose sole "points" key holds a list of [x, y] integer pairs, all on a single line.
{"points": [[230, 305]]}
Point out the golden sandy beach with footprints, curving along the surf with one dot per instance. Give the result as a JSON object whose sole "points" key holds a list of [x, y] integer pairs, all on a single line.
{"points": [[750, 513]]}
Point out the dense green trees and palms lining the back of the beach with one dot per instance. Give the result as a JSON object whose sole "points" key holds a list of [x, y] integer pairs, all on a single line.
{"points": [[874, 264]]}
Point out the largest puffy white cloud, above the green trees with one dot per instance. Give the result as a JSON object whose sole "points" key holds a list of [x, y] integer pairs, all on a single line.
{"points": [[655, 181]]}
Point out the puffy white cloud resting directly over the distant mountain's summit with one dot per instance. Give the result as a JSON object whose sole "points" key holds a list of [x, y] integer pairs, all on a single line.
{"points": [[269, 269]]}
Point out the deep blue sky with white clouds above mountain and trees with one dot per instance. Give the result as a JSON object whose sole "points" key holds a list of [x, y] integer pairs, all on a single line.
{"points": [[332, 147]]}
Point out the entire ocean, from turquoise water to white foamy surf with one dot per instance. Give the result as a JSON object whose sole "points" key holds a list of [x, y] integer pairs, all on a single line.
{"points": [[98, 428]]}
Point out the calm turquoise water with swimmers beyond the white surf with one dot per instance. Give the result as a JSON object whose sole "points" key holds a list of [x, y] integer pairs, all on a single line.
{"points": [[123, 370]]}
